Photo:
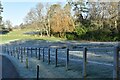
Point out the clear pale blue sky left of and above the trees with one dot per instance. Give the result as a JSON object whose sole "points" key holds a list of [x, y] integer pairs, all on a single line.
{"points": [[16, 10]]}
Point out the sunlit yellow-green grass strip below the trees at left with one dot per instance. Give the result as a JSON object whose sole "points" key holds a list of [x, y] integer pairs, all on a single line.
{"points": [[18, 35]]}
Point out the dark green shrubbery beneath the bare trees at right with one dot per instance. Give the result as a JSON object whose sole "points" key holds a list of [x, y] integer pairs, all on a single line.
{"points": [[99, 35]]}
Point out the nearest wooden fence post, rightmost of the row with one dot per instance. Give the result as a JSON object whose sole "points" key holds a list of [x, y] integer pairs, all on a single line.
{"points": [[116, 63]]}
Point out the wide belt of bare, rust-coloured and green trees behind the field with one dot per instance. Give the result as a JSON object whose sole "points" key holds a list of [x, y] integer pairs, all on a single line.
{"points": [[80, 20]]}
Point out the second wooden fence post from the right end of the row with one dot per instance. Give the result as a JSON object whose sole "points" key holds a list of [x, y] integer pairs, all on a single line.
{"points": [[84, 61]]}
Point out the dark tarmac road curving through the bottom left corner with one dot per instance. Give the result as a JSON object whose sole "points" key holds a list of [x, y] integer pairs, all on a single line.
{"points": [[7, 69]]}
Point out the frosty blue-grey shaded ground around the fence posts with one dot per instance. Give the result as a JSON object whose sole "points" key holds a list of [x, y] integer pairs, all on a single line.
{"points": [[96, 69]]}
